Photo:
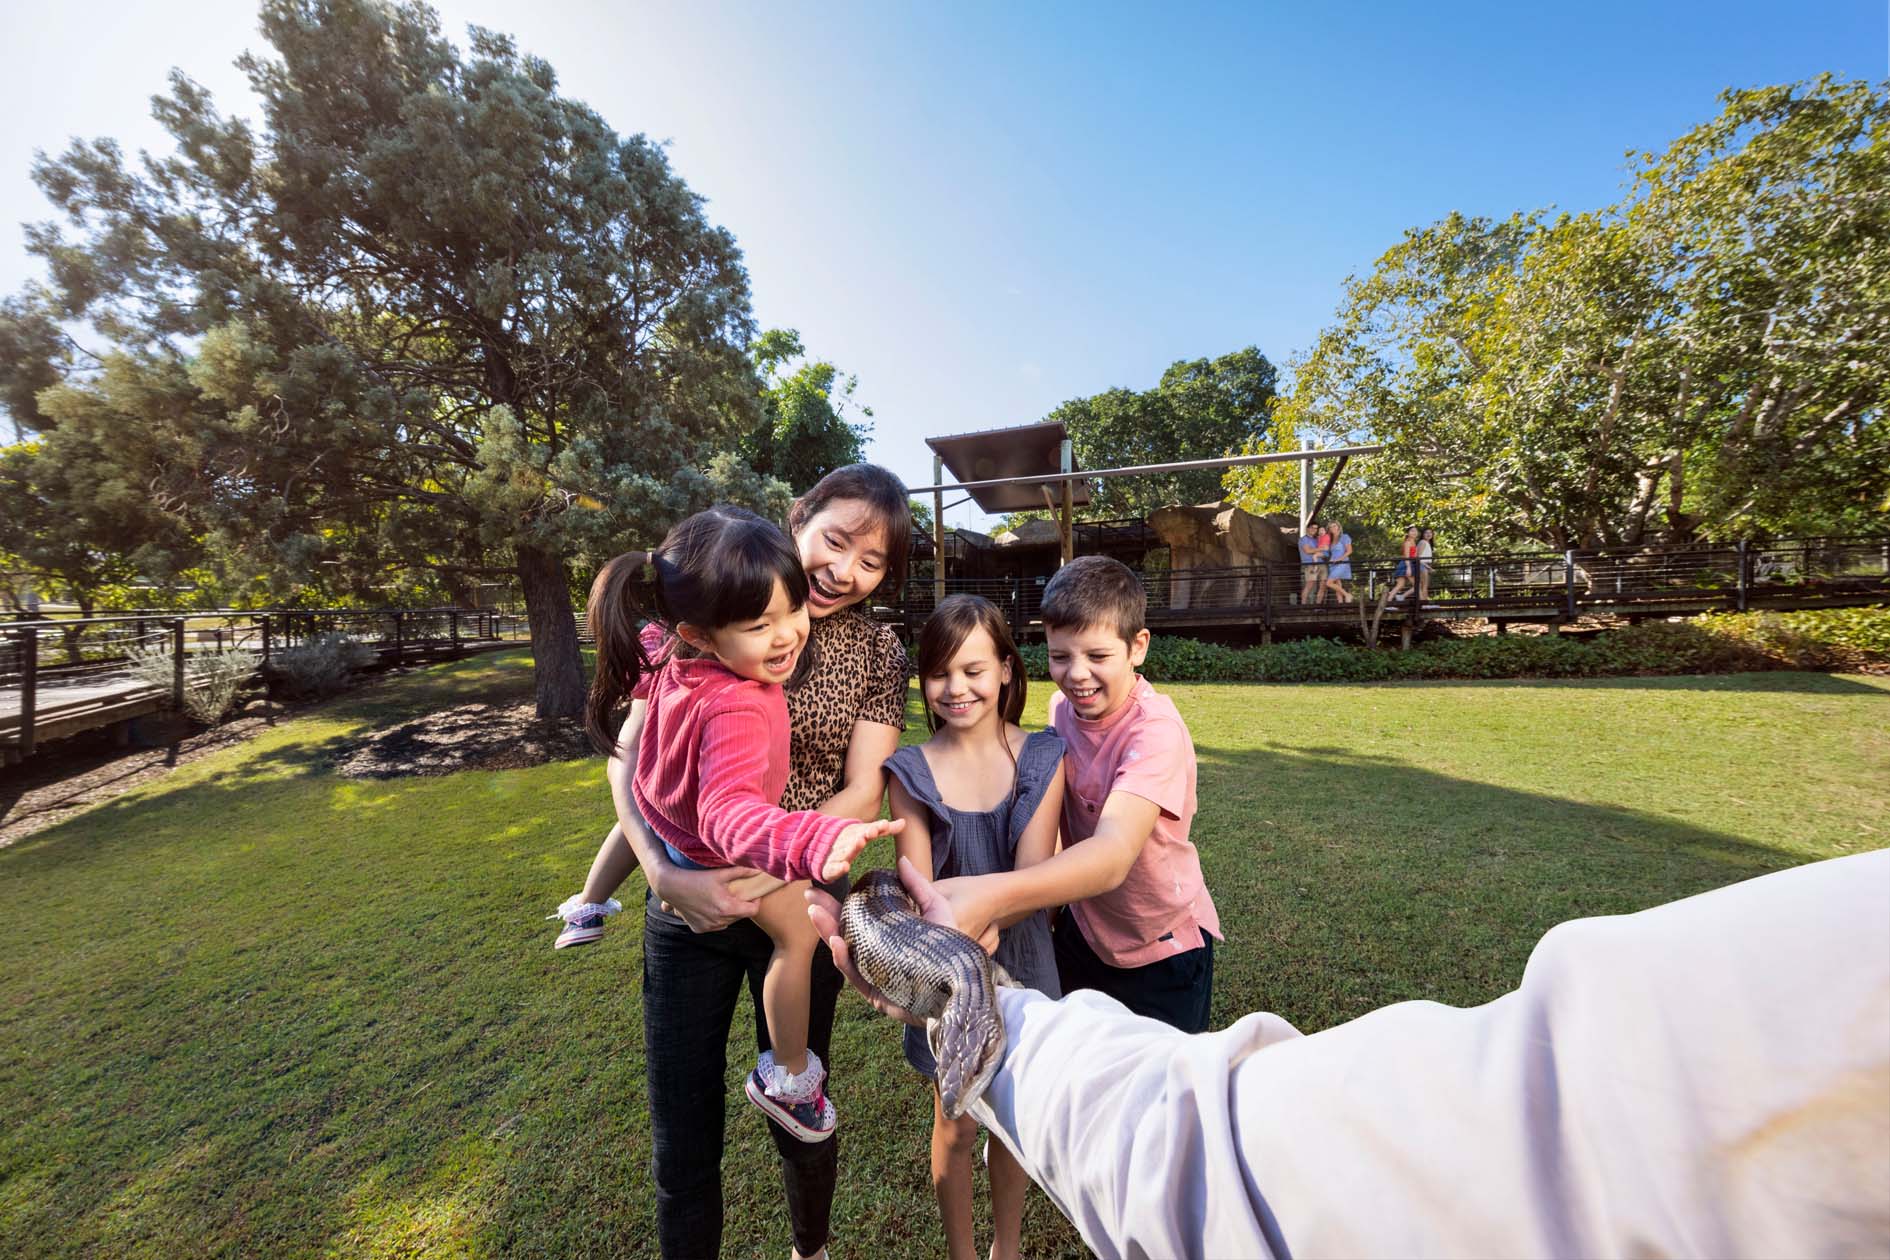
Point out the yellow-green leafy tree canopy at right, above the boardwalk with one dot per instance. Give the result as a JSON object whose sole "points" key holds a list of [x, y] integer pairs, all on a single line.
{"points": [[1710, 358]]}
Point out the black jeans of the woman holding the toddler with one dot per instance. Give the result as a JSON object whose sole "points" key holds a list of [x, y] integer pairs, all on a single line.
{"points": [[691, 985]]}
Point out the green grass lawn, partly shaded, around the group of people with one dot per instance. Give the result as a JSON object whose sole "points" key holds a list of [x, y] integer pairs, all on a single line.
{"points": [[258, 1010]]}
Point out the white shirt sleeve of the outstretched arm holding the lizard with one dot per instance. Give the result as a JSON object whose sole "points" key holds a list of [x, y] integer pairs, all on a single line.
{"points": [[1710, 1078]]}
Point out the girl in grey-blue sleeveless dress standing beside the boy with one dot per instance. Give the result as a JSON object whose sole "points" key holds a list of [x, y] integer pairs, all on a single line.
{"points": [[978, 798]]}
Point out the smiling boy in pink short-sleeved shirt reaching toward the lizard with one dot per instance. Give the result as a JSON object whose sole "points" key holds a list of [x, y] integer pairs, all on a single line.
{"points": [[1139, 923]]}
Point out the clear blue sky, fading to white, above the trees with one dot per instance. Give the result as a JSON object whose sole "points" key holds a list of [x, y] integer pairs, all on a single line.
{"points": [[984, 211]]}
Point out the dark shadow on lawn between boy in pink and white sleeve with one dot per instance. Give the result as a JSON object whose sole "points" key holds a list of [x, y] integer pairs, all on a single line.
{"points": [[1352, 881]]}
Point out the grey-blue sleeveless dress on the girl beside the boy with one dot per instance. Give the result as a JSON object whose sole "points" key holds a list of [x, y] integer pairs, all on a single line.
{"points": [[982, 845]]}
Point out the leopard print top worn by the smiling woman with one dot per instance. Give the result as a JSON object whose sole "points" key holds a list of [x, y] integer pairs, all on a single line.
{"points": [[859, 675]]}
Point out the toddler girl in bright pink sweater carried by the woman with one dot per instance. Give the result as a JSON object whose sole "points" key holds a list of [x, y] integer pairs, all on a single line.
{"points": [[713, 755]]}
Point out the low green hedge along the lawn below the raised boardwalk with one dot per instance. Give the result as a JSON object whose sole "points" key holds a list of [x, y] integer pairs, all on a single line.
{"points": [[1710, 645]]}
